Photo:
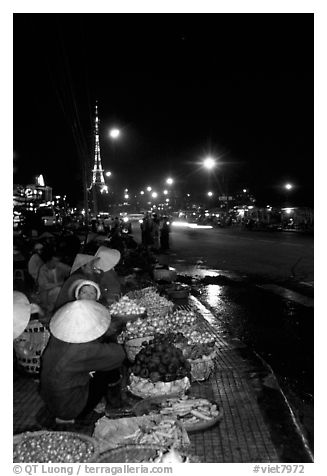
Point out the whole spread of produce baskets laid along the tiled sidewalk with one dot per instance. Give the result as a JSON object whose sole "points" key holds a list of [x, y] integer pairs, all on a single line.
{"points": [[169, 352]]}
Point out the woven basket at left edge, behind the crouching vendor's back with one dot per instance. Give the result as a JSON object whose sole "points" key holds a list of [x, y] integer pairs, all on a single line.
{"points": [[30, 345]]}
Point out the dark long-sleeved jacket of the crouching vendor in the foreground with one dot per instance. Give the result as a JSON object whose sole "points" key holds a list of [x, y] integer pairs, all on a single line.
{"points": [[65, 373]]}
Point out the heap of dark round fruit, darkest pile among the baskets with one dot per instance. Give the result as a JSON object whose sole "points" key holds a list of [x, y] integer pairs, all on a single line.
{"points": [[160, 360]]}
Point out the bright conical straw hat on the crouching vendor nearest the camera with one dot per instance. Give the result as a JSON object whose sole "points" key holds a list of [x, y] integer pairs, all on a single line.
{"points": [[80, 321]]}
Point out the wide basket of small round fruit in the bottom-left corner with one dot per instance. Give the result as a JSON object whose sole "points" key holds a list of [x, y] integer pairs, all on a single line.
{"points": [[54, 447]]}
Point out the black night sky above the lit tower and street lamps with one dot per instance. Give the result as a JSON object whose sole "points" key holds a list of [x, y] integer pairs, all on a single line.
{"points": [[180, 86]]}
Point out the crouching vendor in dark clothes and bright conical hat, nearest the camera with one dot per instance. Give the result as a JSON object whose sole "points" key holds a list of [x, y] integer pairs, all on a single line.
{"points": [[78, 367]]}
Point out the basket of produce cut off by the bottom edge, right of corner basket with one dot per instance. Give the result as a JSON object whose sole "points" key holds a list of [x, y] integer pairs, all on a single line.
{"points": [[146, 454]]}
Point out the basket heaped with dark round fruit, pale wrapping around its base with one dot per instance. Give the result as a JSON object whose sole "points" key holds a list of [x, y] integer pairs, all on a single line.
{"points": [[159, 369]]}
